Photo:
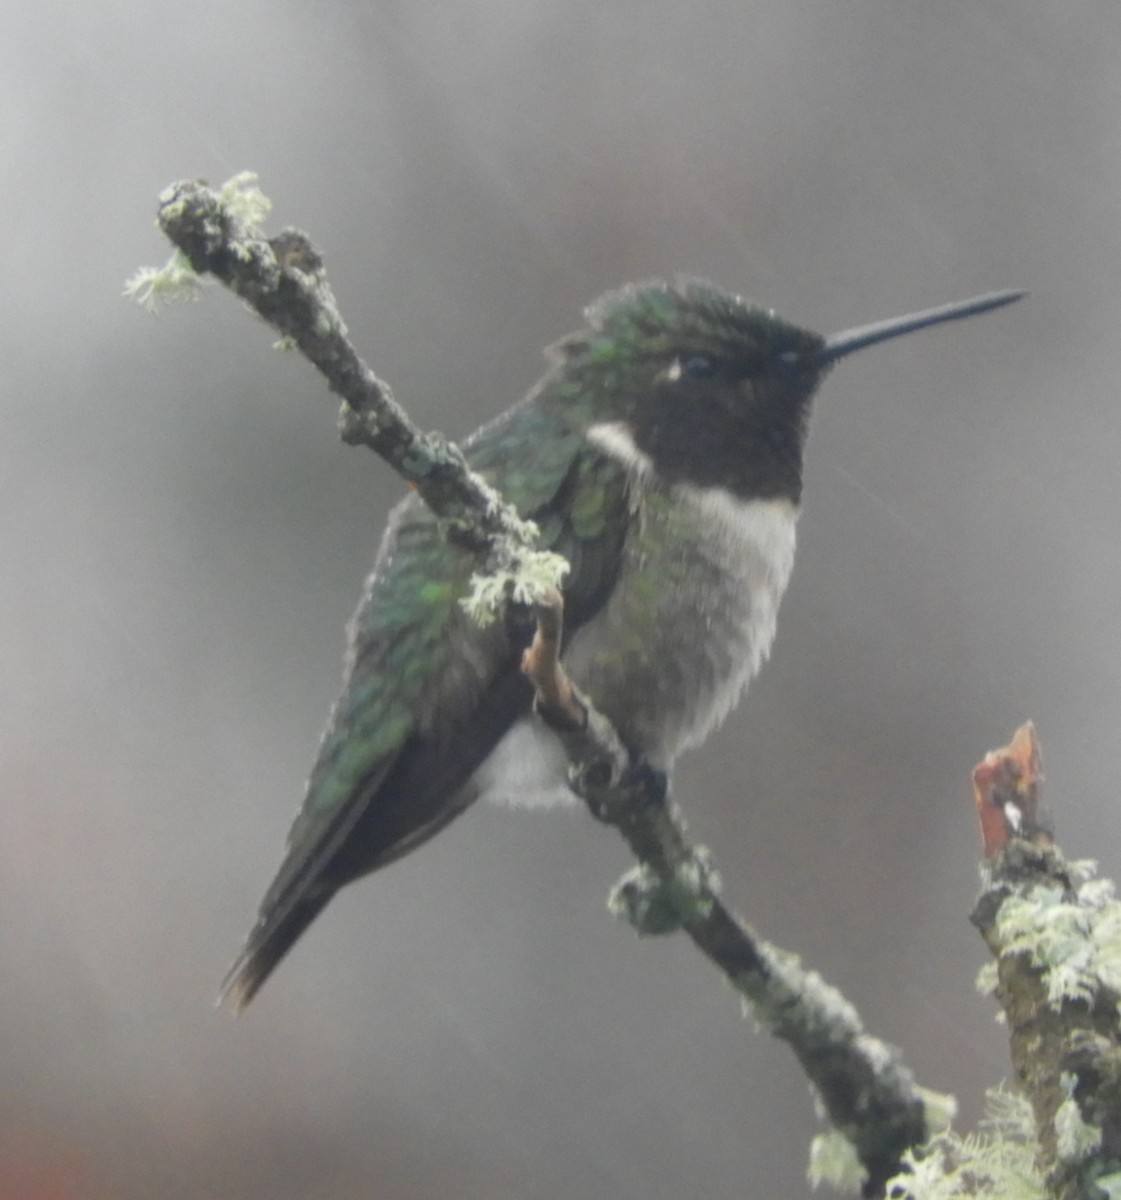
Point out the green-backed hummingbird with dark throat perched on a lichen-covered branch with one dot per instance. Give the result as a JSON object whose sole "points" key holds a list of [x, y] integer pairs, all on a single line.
{"points": [[662, 455]]}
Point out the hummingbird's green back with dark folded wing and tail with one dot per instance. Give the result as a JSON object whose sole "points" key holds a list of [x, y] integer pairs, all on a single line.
{"points": [[428, 693]]}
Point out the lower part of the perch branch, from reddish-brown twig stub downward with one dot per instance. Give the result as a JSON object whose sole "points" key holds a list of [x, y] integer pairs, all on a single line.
{"points": [[868, 1094]]}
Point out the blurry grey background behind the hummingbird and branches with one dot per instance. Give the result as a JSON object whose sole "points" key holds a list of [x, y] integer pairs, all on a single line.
{"points": [[183, 539]]}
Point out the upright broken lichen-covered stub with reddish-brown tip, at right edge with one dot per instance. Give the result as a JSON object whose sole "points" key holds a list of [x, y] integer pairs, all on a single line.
{"points": [[1054, 931]]}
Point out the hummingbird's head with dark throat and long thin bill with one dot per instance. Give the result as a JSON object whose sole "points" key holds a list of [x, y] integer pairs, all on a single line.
{"points": [[699, 387]]}
